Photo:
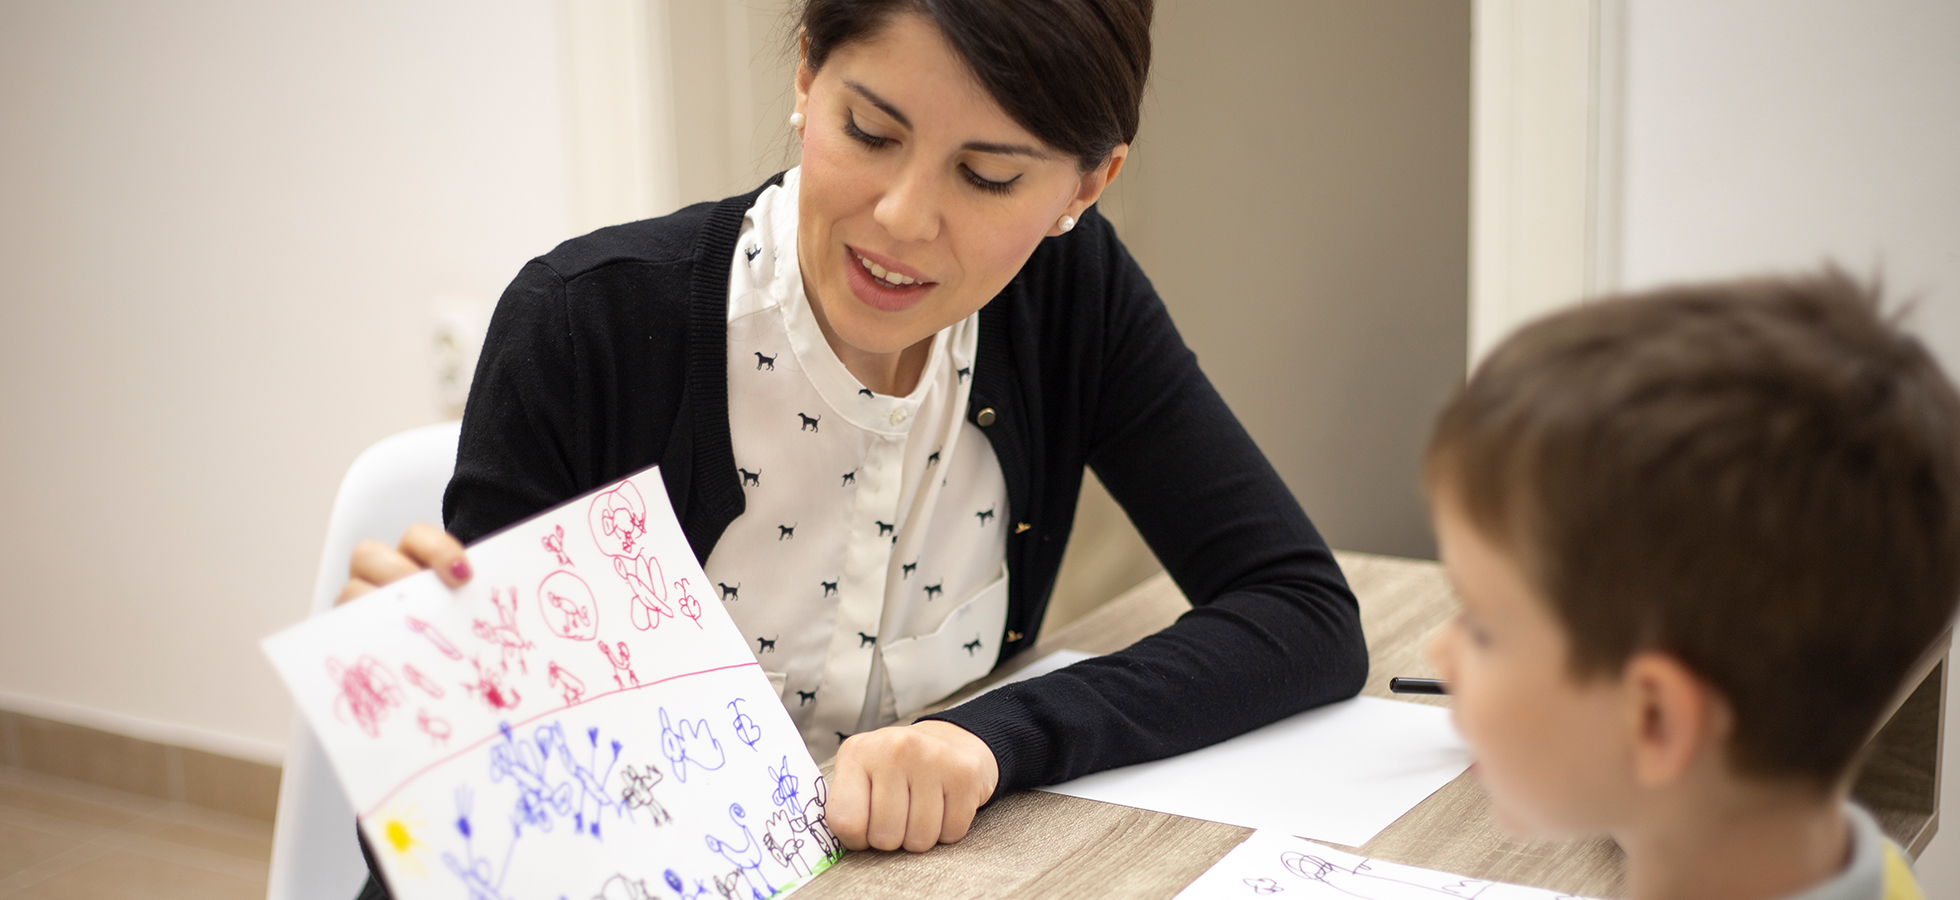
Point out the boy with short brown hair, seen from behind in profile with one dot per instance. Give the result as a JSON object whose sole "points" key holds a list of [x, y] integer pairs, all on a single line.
{"points": [[1700, 538]]}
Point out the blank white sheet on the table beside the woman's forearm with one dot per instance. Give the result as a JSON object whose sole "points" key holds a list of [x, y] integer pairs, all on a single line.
{"points": [[1340, 774]]}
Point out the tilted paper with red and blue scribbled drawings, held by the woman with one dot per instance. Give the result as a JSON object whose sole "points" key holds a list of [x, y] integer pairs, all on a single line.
{"points": [[579, 721]]}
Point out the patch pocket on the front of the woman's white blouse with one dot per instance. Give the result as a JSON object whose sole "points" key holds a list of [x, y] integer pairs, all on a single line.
{"points": [[932, 668]]}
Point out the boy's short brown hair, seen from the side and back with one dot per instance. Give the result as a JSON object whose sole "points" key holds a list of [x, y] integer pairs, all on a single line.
{"points": [[1757, 477]]}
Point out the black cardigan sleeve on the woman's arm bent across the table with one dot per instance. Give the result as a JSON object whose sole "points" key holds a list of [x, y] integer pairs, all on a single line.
{"points": [[1275, 628]]}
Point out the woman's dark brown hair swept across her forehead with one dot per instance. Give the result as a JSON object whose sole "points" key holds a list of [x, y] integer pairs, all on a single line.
{"points": [[1069, 72]]}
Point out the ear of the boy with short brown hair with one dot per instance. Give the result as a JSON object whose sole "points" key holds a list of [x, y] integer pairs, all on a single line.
{"points": [[1675, 719]]}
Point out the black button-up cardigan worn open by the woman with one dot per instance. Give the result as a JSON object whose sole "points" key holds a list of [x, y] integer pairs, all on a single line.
{"points": [[611, 354]]}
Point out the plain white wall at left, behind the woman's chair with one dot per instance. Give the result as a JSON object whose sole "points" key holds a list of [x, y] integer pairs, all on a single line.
{"points": [[224, 226]]}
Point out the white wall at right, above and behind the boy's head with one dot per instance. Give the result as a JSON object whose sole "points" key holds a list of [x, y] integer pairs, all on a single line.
{"points": [[1775, 134]]}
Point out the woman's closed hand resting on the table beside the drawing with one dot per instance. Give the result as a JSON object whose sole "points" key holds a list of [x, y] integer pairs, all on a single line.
{"points": [[910, 787]]}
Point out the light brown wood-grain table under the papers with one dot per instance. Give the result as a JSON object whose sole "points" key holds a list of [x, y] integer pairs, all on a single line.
{"points": [[1050, 846]]}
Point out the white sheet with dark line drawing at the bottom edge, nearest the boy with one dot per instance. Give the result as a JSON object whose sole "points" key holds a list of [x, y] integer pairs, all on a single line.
{"points": [[1279, 864]]}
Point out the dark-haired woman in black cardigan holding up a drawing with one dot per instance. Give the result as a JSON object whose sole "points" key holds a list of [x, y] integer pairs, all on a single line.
{"points": [[873, 387]]}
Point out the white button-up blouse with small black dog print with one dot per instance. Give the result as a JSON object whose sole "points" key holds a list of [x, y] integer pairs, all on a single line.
{"points": [[869, 568]]}
